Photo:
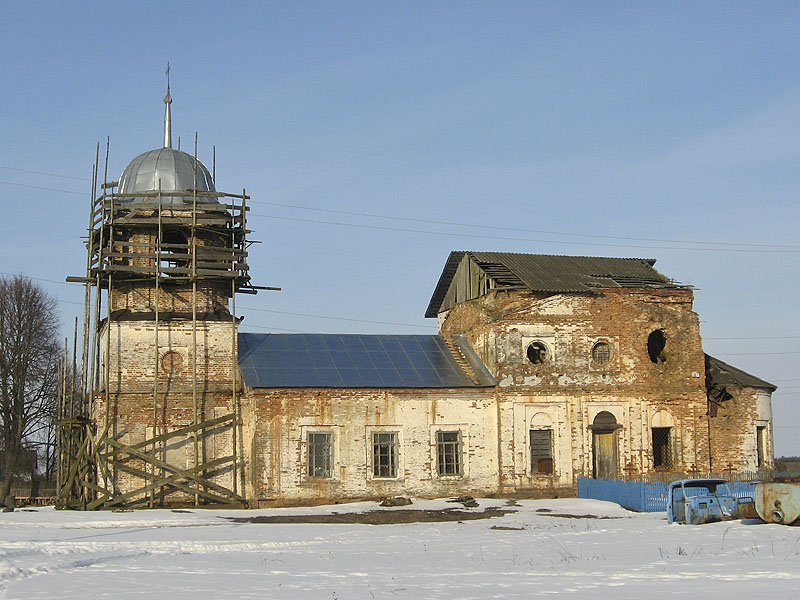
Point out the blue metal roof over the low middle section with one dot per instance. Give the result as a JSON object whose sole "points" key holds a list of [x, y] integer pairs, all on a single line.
{"points": [[271, 360]]}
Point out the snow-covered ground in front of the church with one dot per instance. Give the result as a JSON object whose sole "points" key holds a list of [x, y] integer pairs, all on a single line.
{"points": [[528, 553]]}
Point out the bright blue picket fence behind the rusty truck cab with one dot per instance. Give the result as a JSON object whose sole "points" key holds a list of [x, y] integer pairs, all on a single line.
{"points": [[639, 495]]}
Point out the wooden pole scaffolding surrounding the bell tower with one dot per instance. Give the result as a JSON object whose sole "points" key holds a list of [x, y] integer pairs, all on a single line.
{"points": [[91, 454]]}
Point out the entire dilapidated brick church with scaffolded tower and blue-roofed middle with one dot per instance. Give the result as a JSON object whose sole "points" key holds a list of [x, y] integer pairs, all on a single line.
{"points": [[544, 369]]}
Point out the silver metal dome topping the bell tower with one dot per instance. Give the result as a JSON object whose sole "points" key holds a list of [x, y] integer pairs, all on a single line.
{"points": [[174, 168]]}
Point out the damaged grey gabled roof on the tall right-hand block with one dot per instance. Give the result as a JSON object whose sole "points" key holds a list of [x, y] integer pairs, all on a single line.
{"points": [[554, 273]]}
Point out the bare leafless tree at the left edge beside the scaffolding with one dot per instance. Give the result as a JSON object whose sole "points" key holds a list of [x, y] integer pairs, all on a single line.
{"points": [[28, 369]]}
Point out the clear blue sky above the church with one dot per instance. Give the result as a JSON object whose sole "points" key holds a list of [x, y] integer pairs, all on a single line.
{"points": [[665, 130]]}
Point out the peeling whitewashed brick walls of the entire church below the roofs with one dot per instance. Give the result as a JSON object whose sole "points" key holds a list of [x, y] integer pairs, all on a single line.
{"points": [[567, 393]]}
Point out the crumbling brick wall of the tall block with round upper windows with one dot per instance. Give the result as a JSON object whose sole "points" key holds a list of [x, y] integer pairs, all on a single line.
{"points": [[571, 389]]}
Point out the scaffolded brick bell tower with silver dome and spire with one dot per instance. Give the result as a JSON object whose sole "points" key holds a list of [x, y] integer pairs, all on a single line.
{"points": [[167, 254]]}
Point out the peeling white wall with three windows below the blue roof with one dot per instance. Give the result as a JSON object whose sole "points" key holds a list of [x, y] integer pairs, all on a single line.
{"points": [[353, 417]]}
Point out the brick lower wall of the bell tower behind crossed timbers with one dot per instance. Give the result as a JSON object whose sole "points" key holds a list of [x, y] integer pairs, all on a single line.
{"points": [[136, 372]]}
